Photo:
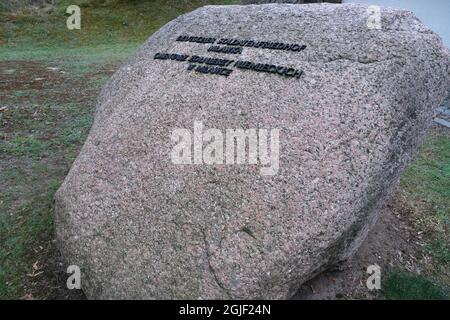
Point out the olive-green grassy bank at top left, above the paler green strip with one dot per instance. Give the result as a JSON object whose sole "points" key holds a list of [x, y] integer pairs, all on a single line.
{"points": [[114, 22]]}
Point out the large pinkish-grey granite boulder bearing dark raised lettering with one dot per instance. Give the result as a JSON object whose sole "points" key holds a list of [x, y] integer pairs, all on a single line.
{"points": [[140, 226]]}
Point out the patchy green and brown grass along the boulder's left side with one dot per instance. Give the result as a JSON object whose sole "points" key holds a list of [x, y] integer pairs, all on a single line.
{"points": [[40, 142]]}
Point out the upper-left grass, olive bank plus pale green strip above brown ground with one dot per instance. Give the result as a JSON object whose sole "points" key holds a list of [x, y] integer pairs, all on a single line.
{"points": [[108, 32]]}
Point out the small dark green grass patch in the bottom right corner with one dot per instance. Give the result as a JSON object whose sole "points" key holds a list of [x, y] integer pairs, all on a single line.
{"points": [[400, 285]]}
